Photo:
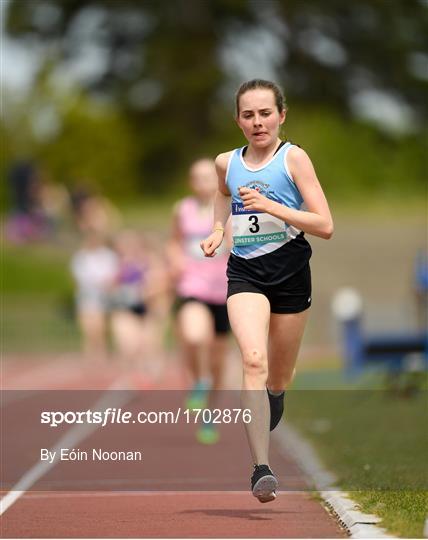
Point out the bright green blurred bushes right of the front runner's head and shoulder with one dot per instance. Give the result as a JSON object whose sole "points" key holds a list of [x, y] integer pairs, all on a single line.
{"points": [[354, 159]]}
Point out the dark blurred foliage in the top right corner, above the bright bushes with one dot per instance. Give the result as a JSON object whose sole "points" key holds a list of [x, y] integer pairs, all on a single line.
{"points": [[336, 48]]}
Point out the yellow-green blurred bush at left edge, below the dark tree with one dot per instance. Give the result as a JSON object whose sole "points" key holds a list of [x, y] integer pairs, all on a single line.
{"points": [[88, 143]]}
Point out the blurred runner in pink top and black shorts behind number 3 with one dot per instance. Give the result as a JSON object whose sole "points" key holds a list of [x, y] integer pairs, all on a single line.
{"points": [[200, 284]]}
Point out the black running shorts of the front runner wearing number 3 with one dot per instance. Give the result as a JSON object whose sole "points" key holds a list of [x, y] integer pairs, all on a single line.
{"points": [[292, 295]]}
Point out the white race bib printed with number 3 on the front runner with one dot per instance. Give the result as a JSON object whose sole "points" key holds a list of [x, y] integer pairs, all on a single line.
{"points": [[251, 227]]}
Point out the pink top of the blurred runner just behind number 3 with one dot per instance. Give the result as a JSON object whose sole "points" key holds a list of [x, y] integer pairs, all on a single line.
{"points": [[203, 278]]}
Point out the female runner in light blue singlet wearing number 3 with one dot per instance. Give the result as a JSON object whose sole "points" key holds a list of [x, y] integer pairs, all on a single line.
{"points": [[273, 193]]}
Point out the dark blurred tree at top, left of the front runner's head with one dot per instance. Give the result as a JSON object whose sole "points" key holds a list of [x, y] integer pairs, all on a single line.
{"points": [[160, 63]]}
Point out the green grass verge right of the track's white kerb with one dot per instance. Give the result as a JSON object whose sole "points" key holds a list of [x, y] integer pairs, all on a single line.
{"points": [[376, 443]]}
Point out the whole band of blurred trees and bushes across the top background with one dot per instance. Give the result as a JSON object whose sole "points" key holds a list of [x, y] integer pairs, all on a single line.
{"points": [[156, 98]]}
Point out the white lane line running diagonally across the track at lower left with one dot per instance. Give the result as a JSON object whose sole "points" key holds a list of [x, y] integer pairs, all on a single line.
{"points": [[74, 436]]}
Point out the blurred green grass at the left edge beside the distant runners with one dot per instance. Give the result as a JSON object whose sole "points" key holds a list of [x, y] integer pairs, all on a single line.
{"points": [[37, 300]]}
